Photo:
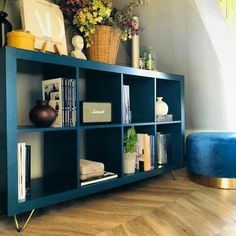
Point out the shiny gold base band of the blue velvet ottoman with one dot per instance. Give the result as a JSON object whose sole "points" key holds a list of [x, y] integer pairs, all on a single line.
{"points": [[216, 182]]}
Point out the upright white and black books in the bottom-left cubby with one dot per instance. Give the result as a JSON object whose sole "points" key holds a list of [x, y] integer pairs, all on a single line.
{"points": [[23, 164]]}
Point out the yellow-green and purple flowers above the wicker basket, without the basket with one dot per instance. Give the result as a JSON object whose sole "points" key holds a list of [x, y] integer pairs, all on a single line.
{"points": [[85, 15]]}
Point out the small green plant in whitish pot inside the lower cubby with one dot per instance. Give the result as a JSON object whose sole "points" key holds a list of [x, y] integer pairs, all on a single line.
{"points": [[130, 141]]}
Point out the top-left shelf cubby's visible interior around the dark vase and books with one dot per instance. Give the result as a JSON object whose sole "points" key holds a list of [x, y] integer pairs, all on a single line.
{"points": [[30, 75]]}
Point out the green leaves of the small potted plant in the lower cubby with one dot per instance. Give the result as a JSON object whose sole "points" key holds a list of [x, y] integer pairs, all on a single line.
{"points": [[130, 140]]}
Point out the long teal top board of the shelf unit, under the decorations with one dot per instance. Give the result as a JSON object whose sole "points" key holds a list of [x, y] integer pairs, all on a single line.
{"points": [[51, 58]]}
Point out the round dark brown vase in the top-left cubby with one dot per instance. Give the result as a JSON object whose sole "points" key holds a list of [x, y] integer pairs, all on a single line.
{"points": [[42, 115]]}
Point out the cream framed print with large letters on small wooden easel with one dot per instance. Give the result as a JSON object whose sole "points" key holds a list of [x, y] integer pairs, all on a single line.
{"points": [[45, 21]]}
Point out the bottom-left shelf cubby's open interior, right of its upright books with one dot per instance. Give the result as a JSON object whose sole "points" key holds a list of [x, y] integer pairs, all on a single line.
{"points": [[53, 162]]}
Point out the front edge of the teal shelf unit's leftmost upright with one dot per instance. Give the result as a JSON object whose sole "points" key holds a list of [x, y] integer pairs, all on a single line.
{"points": [[11, 131]]}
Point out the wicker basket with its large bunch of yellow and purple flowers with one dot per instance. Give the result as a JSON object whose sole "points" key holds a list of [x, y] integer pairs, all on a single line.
{"points": [[91, 17]]}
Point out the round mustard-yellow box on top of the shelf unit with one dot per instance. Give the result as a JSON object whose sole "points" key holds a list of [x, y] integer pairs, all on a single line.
{"points": [[21, 39]]}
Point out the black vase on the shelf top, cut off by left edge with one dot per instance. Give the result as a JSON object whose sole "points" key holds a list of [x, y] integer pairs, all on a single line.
{"points": [[5, 27]]}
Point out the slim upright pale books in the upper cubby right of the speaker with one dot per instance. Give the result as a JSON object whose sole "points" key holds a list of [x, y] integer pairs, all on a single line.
{"points": [[126, 105]]}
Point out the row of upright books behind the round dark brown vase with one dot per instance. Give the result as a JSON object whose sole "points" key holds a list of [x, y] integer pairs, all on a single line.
{"points": [[61, 95]]}
